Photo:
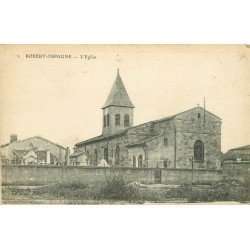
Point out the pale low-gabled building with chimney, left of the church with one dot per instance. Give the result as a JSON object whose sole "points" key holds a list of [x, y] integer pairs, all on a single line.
{"points": [[33, 150]]}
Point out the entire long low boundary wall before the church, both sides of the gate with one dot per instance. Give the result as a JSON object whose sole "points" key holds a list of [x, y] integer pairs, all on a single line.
{"points": [[42, 174]]}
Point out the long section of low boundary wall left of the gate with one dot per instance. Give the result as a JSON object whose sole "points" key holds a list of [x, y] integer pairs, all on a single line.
{"points": [[48, 174]]}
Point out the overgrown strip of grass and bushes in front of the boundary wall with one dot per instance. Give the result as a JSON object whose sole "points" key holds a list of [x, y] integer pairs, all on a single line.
{"points": [[118, 191]]}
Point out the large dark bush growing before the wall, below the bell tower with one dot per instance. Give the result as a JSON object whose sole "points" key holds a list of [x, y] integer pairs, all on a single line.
{"points": [[117, 188]]}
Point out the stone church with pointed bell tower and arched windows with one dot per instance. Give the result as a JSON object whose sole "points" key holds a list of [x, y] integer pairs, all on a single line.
{"points": [[187, 140]]}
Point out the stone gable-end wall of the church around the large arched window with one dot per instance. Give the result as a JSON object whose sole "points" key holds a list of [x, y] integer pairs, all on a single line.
{"points": [[190, 126]]}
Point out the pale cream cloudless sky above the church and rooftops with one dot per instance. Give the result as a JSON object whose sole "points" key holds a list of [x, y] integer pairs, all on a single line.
{"points": [[61, 98]]}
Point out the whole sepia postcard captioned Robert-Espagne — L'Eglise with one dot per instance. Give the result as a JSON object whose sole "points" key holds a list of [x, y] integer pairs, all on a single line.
{"points": [[125, 124]]}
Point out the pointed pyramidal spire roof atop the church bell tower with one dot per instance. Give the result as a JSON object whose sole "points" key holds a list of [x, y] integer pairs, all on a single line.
{"points": [[118, 95]]}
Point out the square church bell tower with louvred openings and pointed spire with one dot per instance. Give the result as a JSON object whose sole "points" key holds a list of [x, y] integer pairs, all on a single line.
{"points": [[118, 109]]}
